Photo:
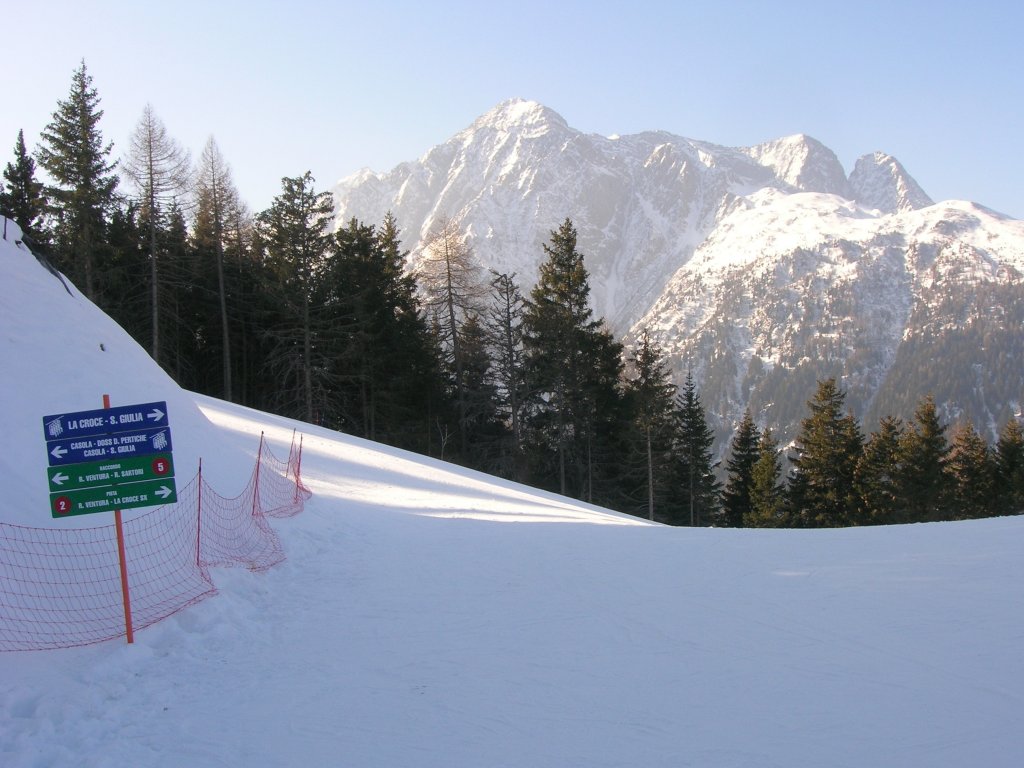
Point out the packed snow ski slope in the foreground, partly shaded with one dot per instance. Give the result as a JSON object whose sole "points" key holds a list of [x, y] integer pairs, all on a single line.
{"points": [[428, 616]]}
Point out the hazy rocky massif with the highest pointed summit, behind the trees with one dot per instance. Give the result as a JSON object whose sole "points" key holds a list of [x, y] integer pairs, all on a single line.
{"points": [[642, 204]]}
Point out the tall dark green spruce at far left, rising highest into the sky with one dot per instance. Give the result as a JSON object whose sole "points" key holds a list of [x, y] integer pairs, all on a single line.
{"points": [[74, 155]]}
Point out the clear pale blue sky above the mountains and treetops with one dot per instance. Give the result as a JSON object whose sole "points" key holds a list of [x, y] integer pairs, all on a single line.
{"points": [[332, 87]]}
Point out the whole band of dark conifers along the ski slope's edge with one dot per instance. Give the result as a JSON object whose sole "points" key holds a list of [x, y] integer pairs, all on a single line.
{"points": [[286, 313]]}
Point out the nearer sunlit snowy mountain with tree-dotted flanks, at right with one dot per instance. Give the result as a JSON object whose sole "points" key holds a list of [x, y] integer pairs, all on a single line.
{"points": [[767, 306]]}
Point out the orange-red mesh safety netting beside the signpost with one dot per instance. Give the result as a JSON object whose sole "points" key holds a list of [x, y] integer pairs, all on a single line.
{"points": [[63, 588]]}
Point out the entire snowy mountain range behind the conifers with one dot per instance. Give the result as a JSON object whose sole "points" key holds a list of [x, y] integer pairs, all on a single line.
{"points": [[762, 269]]}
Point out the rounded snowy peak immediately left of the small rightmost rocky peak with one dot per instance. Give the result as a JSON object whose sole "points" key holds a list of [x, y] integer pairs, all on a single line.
{"points": [[804, 163]]}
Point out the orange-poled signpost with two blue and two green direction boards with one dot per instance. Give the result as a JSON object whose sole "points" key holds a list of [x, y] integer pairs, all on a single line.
{"points": [[110, 459]]}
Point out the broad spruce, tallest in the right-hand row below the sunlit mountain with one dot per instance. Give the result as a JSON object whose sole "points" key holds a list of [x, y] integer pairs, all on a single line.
{"points": [[829, 448]]}
